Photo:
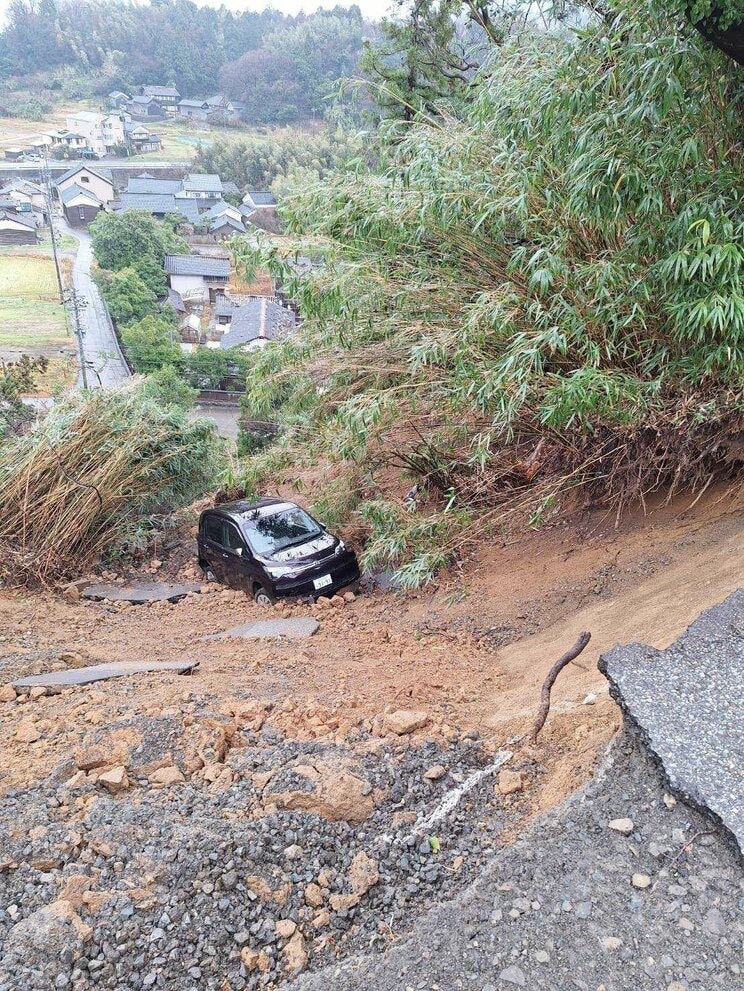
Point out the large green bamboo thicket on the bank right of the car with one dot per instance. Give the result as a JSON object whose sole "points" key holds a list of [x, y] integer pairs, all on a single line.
{"points": [[539, 296]]}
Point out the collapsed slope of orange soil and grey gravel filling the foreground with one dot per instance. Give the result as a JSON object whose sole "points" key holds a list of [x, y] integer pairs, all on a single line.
{"points": [[288, 804]]}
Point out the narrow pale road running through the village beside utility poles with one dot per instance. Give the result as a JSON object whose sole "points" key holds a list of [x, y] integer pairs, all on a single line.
{"points": [[104, 361]]}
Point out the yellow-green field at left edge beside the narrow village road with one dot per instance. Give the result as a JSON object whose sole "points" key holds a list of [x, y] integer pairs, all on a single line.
{"points": [[30, 311]]}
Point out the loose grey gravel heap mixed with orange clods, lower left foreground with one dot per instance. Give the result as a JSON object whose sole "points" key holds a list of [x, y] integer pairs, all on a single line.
{"points": [[186, 881]]}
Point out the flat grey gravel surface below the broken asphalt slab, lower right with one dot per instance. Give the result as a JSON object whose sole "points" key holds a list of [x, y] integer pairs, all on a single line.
{"points": [[684, 932]]}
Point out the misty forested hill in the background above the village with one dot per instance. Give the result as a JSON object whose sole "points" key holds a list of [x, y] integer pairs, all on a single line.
{"points": [[285, 65]]}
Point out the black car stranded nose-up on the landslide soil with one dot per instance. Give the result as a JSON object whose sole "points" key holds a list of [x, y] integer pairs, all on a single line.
{"points": [[273, 549]]}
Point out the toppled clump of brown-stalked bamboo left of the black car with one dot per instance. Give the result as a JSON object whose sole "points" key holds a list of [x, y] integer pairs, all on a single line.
{"points": [[93, 474]]}
